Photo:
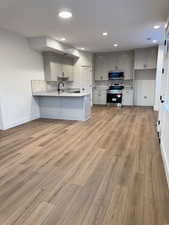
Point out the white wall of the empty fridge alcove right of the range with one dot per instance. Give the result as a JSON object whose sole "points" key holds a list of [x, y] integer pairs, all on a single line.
{"points": [[144, 87]]}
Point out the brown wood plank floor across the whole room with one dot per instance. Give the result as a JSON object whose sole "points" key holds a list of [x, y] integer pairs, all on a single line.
{"points": [[106, 171]]}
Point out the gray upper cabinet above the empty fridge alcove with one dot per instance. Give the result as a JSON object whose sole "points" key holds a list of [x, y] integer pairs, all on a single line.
{"points": [[145, 58]]}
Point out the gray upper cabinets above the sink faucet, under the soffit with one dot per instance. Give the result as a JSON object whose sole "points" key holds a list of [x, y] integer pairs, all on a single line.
{"points": [[57, 66]]}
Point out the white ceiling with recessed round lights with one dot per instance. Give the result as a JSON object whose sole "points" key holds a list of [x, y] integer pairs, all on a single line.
{"points": [[128, 22]]}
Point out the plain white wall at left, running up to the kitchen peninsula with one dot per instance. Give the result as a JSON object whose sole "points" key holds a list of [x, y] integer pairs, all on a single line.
{"points": [[18, 66]]}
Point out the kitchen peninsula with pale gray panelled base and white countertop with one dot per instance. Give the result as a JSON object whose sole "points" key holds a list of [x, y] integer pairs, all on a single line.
{"points": [[64, 105]]}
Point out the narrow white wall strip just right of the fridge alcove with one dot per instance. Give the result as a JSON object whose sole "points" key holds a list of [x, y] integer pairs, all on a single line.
{"points": [[158, 77]]}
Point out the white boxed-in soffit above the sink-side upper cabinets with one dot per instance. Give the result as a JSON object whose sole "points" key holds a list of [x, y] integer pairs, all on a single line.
{"points": [[43, 44]]}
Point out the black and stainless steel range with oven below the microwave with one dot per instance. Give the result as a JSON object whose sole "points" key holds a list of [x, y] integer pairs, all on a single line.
{"points": [[114, 94]]}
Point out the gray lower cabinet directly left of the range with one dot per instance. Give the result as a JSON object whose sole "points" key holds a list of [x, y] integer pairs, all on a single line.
{"points": [[99, 97]]}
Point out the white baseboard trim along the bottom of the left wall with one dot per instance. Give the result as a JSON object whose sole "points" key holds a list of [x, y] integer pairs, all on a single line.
{"points": [[22, 121]]}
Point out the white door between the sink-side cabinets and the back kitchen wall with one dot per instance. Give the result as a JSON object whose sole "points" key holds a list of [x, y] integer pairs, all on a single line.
{"points": [[86, 80]]}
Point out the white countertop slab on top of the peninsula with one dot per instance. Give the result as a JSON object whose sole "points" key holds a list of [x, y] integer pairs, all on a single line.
{"points": [[61, 94]]}
